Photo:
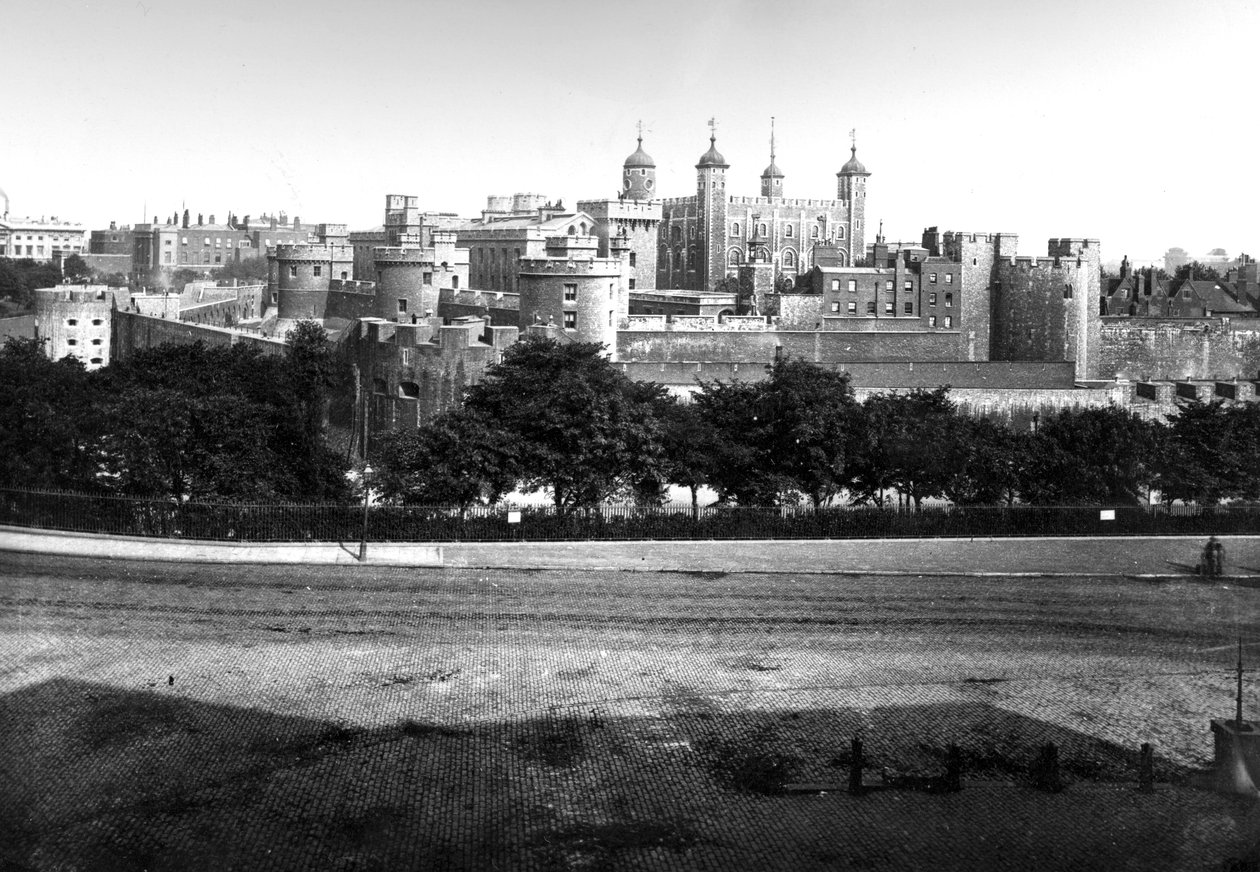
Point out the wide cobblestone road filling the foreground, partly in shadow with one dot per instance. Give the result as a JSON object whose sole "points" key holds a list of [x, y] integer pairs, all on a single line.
{"points": [[177, 716]]}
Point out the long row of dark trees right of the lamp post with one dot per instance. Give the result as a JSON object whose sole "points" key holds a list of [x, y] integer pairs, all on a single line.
{"points": [[564, 420]]}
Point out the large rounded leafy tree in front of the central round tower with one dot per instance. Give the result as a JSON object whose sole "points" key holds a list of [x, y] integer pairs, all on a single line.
{"points": [[576, 425]]}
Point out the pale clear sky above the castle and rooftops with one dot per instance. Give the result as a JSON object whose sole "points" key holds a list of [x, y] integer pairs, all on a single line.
{"points": [[1131, 123]]}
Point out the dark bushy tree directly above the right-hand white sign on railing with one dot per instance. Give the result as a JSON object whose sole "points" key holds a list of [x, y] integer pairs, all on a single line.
{"points": [[1104, 457]]}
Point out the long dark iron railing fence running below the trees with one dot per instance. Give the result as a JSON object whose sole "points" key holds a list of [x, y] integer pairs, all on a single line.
{"points": [[327, 522]]}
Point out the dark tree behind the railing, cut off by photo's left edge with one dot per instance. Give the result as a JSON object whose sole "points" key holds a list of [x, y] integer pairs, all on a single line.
{"points": [[47, 424]]}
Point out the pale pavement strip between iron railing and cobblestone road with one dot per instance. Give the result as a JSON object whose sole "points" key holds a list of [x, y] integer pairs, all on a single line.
{"points": [[1154, 558]]}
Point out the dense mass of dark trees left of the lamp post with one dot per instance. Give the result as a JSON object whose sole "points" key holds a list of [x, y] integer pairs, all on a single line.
{"points": [[177, 422]]}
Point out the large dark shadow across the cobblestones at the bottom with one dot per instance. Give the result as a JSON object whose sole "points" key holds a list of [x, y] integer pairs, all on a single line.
{"points": [[101, 778]]}
